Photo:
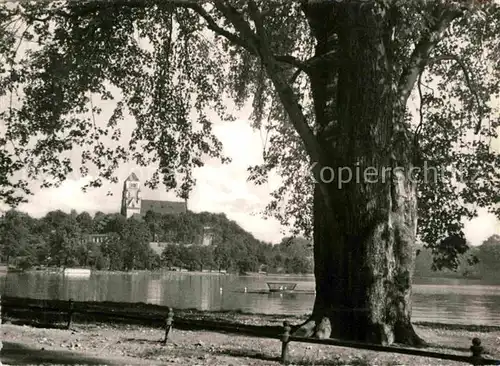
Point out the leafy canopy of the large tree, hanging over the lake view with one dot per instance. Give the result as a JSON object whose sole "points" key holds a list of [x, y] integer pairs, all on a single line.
{"points": [[172, 64]]}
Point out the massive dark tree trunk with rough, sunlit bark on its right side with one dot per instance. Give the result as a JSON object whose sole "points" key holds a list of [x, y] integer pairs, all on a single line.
{"points": [[363, 244]]}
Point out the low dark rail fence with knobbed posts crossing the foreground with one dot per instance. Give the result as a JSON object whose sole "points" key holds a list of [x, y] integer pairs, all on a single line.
{"points": [[9, 304]]}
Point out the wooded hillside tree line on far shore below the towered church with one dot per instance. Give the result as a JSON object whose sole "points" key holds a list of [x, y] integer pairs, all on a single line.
{"points": [[59, 240]]}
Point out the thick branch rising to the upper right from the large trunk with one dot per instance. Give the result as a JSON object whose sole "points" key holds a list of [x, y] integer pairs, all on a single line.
{"points": [[422, 51]]}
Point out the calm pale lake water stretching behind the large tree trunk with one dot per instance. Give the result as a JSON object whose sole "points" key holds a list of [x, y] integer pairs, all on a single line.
{"points": [[458, 301]]}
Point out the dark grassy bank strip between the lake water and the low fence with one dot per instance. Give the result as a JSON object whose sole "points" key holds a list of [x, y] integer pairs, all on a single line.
{"points": [[22, 309]]}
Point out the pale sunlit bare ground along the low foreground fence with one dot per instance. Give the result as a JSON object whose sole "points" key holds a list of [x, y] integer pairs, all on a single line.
{"points": [[139, 345]]}
